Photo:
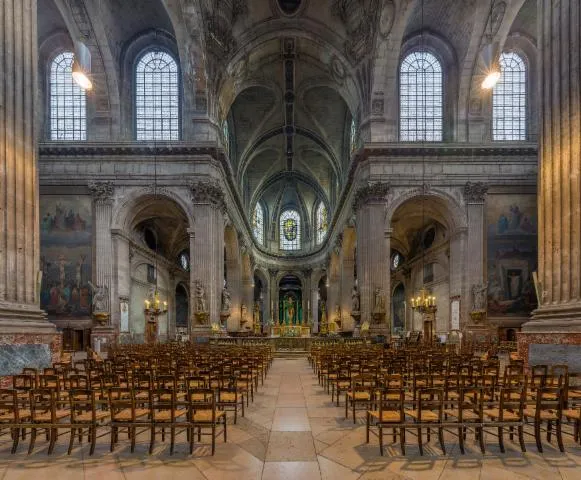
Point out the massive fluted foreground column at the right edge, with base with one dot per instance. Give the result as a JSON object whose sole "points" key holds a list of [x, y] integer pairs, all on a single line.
{"points": [[558, 317]]}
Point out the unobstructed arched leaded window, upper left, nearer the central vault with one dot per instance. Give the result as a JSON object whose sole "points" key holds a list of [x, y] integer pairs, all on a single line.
{"points": [[157, 98]]}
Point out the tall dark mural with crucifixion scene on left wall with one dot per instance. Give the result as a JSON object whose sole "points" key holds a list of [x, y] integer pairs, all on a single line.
{"points": [[66, 256]]}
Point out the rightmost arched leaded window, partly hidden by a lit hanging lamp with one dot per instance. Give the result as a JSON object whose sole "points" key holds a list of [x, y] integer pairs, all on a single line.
{"points": [[509, 99]]}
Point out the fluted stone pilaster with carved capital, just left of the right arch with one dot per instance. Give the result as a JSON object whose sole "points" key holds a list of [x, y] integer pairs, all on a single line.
{"points": [[370, 203]]}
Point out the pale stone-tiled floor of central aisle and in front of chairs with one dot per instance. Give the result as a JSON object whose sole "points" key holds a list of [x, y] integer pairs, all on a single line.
{"points": [[292, 431]]}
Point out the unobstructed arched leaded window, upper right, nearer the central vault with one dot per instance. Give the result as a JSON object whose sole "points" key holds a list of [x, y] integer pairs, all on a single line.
{"points": [[420, 98]]}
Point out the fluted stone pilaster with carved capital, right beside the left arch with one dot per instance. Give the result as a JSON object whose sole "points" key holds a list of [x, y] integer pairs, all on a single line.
{"points": [[207, 245]]}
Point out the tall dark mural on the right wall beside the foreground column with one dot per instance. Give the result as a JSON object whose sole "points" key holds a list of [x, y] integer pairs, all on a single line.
{"points": [[512, 254]]}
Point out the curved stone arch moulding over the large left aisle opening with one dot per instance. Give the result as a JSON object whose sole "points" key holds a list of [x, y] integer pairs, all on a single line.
{"points": [[124, 209]]}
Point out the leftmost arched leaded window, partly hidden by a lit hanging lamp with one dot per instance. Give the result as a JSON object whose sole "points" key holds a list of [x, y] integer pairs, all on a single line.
{"points": [[68, 108]]}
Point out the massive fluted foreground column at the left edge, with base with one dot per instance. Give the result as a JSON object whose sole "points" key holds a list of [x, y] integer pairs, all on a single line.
{"points": [[19, 222]]}
